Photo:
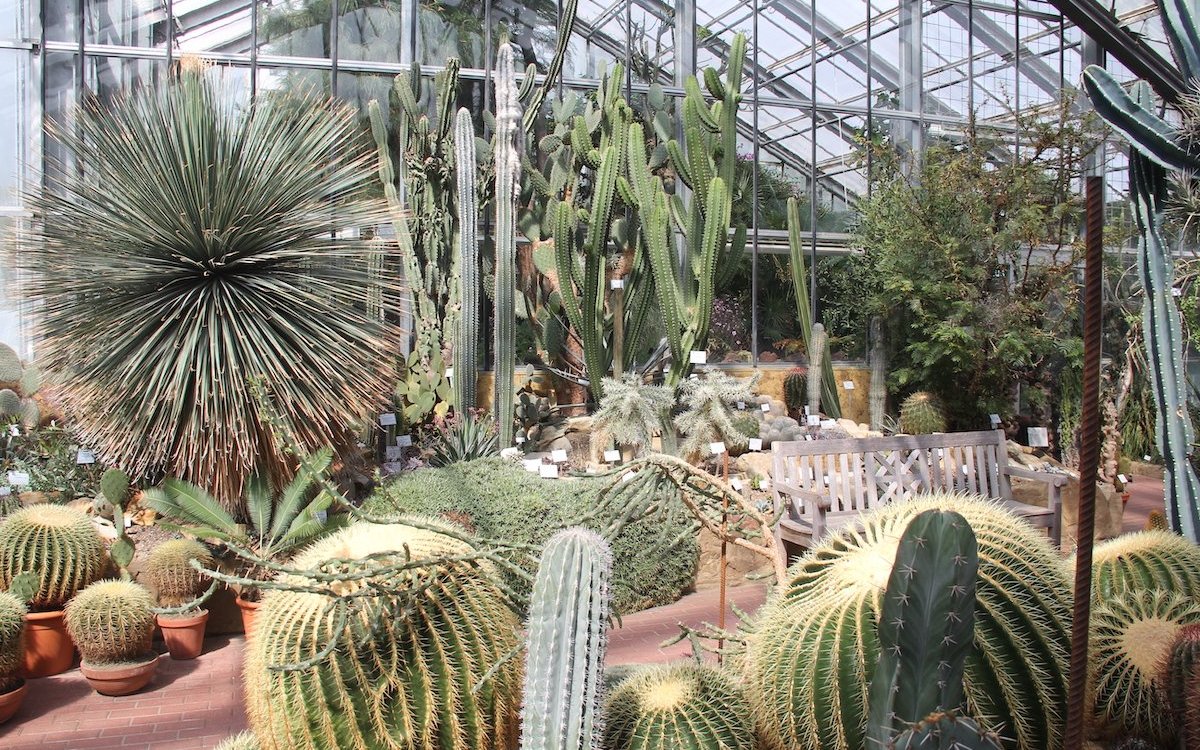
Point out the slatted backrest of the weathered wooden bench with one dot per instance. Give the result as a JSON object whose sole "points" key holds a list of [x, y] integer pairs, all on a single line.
{"points": [[865, 473]]}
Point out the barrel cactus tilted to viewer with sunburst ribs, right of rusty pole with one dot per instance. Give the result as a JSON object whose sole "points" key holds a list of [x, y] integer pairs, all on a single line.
{"points": [[1131, 639]]}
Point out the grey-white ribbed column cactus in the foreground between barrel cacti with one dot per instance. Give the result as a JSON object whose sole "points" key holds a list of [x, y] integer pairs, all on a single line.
{"points": [[568, 623]]}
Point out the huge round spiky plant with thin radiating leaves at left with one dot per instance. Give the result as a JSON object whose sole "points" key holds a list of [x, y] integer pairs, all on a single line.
{"points": [[201, 245]]}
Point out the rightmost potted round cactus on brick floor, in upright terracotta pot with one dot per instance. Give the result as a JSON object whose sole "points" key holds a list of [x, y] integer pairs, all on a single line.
{"points": [[181, 589]]}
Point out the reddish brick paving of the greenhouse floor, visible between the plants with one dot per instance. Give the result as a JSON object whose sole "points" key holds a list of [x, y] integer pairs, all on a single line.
{"points": [[194, 705]]}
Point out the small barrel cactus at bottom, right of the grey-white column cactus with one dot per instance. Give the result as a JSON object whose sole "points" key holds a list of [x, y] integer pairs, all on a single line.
{"points": [[679, 706]]}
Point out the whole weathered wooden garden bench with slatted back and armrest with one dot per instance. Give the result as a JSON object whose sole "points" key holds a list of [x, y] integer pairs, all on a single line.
{"points": [[824, 485]]}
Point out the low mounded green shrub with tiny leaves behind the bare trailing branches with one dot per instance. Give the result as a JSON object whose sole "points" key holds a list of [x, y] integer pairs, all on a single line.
{"points": [[502, 501]]}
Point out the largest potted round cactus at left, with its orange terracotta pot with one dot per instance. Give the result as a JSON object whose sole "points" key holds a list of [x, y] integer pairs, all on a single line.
{"points": [[62, 553]]}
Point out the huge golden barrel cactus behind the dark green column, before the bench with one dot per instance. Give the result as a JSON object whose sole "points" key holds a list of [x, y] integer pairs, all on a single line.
{"points": [[812, 655]]}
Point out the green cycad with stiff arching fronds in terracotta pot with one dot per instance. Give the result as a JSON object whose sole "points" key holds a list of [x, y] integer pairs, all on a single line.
{"points": [[279, 524]]}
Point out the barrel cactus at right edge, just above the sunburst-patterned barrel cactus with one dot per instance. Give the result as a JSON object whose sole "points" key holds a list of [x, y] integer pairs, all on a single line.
{"points": [[1145, 561]]}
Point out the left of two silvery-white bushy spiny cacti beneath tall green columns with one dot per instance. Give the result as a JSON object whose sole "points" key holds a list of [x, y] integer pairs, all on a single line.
{"points": [[632, 412]]}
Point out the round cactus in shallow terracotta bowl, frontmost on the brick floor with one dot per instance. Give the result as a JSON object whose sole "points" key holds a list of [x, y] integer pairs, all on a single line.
{"points": [[112, 622]]}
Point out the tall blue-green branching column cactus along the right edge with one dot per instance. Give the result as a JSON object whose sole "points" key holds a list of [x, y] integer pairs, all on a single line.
{"points": [[1159, 147]]}
